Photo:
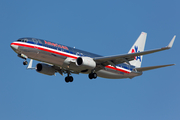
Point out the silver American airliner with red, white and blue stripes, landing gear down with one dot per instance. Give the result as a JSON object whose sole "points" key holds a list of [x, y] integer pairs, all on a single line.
{"points": [[63, 59]]}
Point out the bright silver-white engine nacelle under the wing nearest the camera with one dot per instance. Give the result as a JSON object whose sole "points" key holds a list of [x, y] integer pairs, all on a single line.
{"points": [[85, 63]]}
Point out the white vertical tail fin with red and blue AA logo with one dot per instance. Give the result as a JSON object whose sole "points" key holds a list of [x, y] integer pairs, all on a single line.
{"points": [[138, 47]]}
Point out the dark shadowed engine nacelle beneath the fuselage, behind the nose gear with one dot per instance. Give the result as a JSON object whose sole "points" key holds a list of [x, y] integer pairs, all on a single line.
{"points": [[45, 69]]}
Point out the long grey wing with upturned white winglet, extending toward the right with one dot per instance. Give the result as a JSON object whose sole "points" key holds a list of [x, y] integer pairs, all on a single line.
{"points": [[117, 59]]}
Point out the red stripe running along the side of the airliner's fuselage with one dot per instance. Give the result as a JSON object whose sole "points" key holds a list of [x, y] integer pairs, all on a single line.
{"points": [[51, 51]]}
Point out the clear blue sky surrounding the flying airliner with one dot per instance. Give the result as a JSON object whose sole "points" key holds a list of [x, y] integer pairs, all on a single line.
{"points": [[100, 26]]}
